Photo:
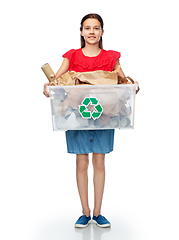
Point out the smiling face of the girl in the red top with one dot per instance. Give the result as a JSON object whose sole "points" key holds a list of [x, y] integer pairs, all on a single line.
{"points": [[92, 31]]}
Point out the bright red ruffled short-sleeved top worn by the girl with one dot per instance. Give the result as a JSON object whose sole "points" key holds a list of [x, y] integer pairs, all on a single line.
{"points": [[105, 60]]}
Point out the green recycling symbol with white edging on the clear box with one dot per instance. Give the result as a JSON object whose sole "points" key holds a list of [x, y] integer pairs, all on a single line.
{"points": [[83, 109]]}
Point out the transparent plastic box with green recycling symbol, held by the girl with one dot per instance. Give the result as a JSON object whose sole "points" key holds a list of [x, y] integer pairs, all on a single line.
{"points": [[89, 107]]}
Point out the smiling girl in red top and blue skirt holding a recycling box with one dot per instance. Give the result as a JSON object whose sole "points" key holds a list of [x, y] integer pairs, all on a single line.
{"points": [[90, 57]]}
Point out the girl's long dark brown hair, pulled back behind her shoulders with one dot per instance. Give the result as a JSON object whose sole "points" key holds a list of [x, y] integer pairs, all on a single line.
{"points": [[99, 18]]}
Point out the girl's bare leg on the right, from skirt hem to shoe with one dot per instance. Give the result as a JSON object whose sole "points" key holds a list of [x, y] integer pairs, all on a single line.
{"points": [[99, 180]]}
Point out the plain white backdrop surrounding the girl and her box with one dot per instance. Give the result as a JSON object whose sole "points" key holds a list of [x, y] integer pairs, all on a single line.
{"points": [[37, 176]]}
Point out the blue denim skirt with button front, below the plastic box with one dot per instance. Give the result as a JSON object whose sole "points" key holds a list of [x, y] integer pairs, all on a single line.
{"points": [[88, 141]]}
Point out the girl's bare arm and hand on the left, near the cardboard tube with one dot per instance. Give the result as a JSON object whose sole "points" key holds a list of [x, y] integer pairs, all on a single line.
{"points": [[62, 70]]}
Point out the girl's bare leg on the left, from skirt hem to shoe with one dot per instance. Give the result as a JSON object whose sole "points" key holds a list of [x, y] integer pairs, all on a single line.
{"points": [[82, 162]]}
